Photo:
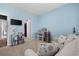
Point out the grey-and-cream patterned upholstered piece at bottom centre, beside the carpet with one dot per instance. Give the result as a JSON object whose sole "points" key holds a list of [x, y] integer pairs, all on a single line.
{"points": [[47, 49]]}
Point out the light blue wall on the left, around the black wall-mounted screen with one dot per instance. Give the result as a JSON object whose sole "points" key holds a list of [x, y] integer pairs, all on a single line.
{"points": [[17, 14]]}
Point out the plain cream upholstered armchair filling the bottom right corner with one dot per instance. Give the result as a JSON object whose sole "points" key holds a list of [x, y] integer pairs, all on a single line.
{"points": [[71, 48]]}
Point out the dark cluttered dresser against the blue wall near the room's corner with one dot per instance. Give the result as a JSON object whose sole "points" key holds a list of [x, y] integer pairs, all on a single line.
{"points": [[43, 35]]}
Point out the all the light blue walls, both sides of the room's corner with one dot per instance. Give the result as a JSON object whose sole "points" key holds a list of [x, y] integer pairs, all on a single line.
{"points": [[58, 21]]}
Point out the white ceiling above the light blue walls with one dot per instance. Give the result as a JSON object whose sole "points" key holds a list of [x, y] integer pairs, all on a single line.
{"points": [[36, 8]]}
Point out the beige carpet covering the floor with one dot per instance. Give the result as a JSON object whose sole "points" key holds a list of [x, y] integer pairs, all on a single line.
{"points": [[19, 49]]}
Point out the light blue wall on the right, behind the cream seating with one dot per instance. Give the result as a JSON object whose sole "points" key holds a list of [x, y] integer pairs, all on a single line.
{"points": [[61, 20]]}
